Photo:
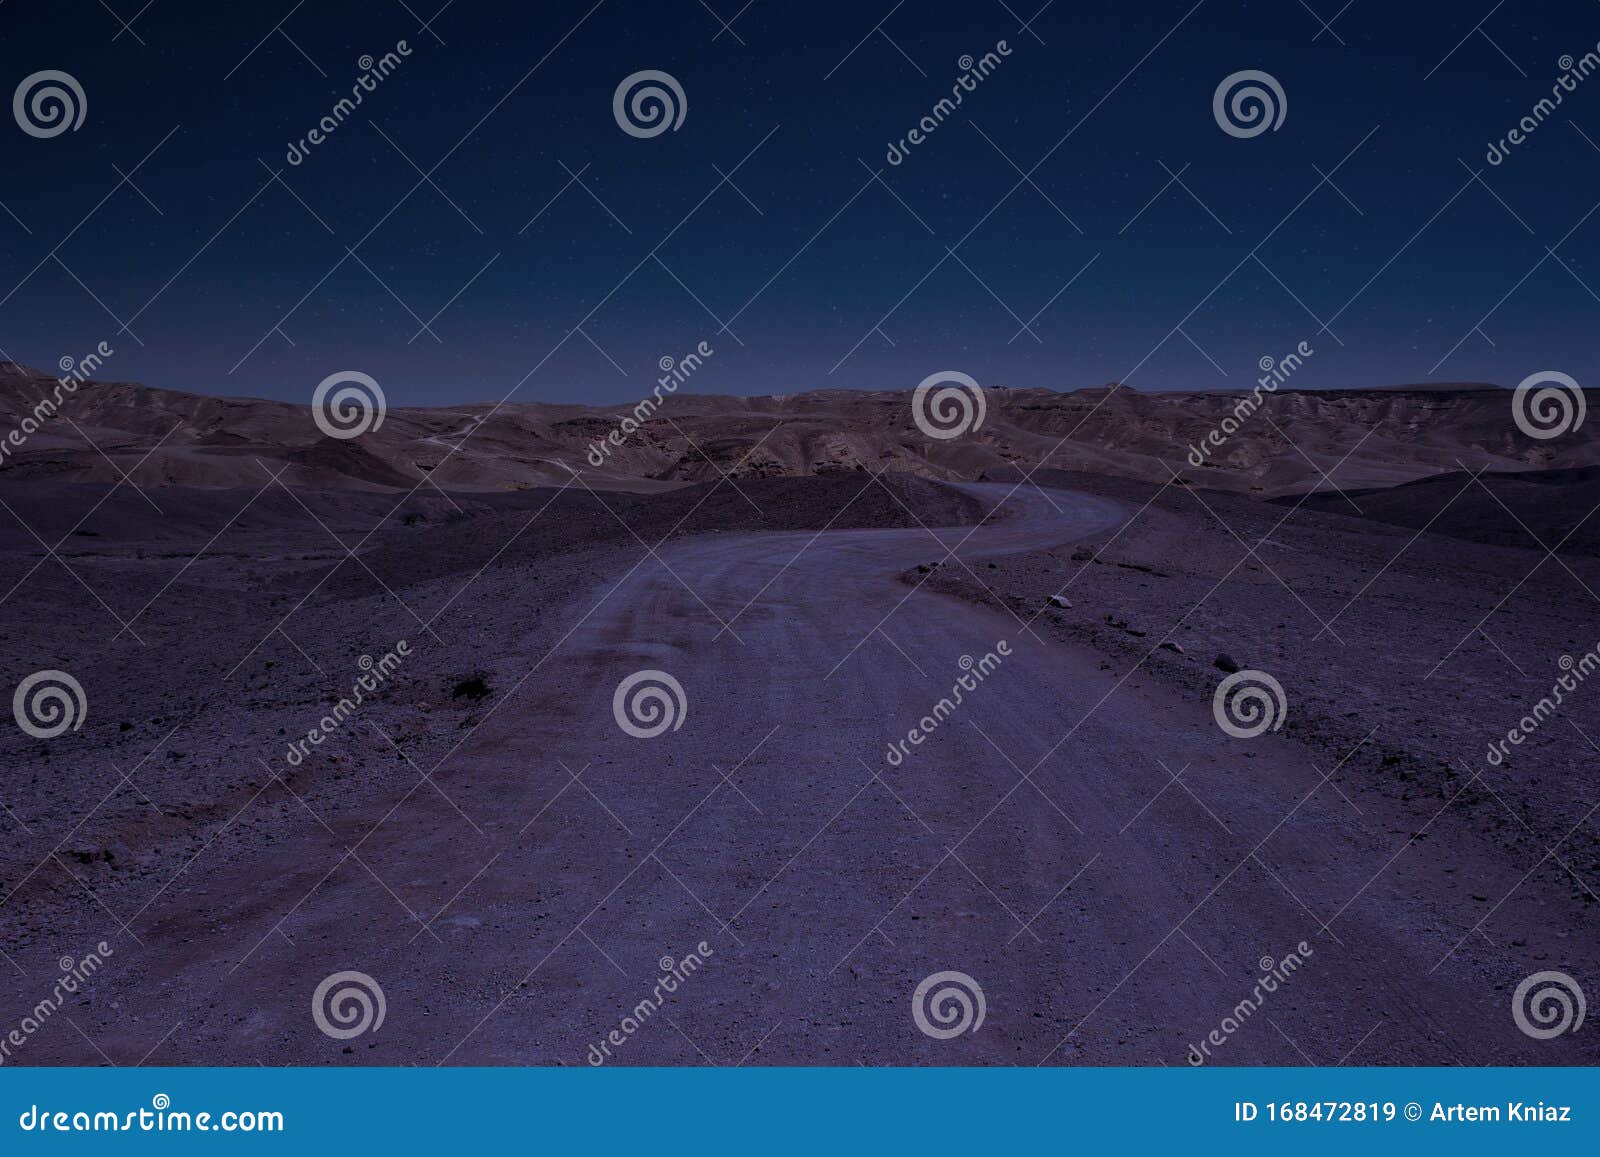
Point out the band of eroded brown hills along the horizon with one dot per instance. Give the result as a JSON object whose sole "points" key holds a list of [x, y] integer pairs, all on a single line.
{"points": [[1393, 436]]}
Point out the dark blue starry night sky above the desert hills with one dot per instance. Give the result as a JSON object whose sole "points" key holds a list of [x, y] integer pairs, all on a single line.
{"points": [[1402, 258]]}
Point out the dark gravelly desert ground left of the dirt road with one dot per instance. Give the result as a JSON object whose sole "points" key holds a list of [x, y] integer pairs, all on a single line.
{"points": [[210, 630]]}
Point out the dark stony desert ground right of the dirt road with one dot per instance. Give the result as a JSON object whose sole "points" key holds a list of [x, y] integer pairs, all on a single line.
{"points": [[1402, 654]]}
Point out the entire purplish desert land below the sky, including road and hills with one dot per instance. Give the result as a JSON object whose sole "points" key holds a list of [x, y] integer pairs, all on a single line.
{"points": [[516, 871]]}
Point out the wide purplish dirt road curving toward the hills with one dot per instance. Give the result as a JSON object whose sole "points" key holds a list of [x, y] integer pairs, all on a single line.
{"points": [[1038, 843]]}
